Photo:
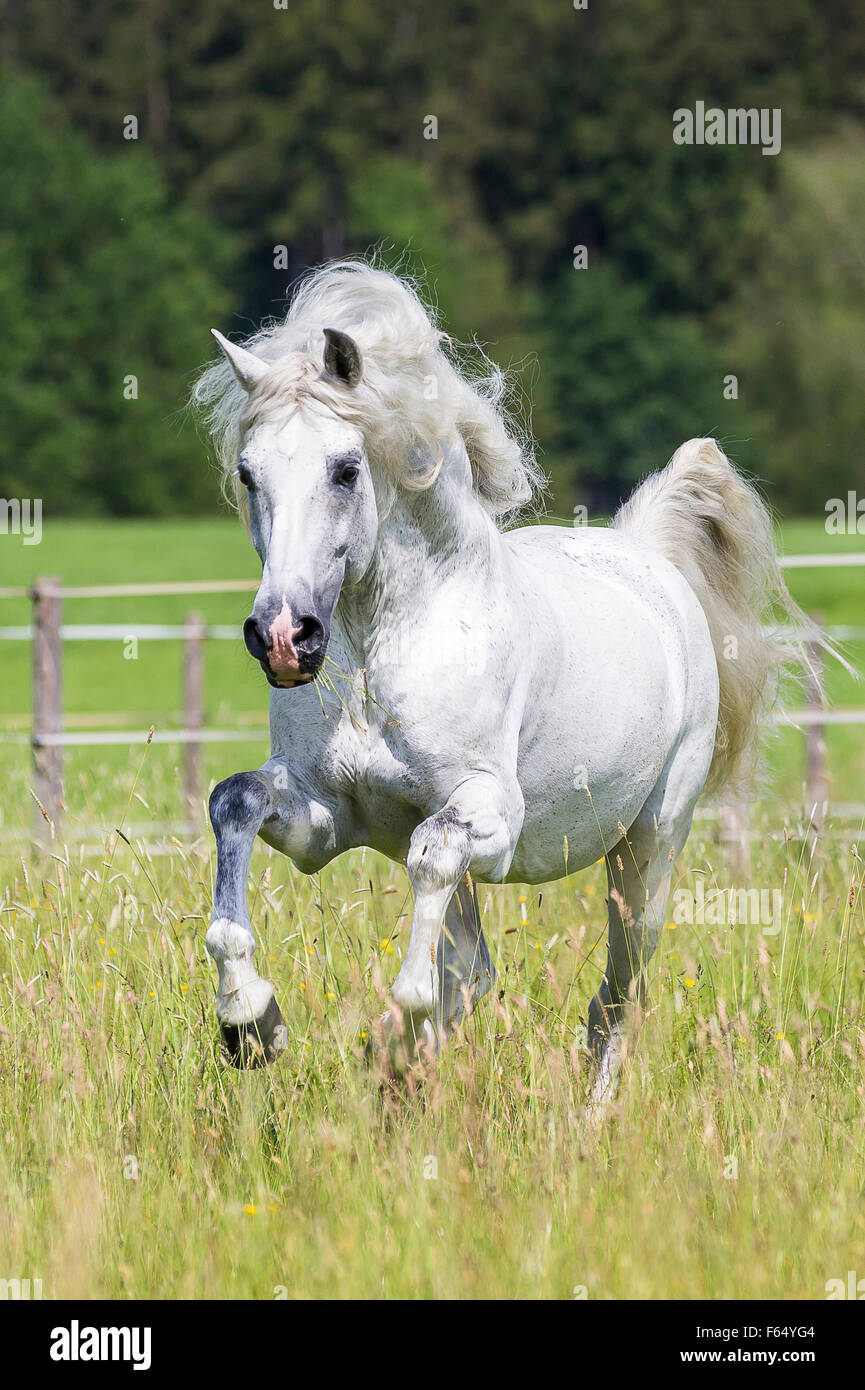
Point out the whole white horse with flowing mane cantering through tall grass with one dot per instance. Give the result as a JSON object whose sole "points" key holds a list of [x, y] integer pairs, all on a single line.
{"points": [[507, 707]]}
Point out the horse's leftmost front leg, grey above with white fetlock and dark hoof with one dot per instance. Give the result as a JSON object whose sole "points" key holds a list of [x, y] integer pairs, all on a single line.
{"points": [[252, 1027]]}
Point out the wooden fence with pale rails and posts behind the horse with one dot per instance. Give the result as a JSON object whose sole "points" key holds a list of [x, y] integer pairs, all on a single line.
{"points": [[48, 633]]}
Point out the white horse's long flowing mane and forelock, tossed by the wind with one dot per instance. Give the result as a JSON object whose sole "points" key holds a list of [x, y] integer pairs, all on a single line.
{"points": [[415, 398]]}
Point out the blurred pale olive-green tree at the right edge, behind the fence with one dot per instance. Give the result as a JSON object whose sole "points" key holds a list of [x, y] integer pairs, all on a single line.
{"points": [[796, 330]]}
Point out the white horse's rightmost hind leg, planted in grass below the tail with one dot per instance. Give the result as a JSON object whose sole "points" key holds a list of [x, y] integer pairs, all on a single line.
{"points": [[639, 872]]}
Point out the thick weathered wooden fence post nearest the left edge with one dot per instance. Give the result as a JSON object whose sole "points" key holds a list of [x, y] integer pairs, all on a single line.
{"points": [[48, 705]]}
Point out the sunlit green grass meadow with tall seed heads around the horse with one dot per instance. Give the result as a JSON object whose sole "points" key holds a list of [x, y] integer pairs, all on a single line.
{"points": [[136, 1164]]}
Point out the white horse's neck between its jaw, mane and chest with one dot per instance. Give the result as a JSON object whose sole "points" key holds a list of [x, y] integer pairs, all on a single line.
{"points": [[426, 539]]}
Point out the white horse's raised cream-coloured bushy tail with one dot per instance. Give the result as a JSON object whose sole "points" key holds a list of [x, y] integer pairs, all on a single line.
{"points": [[717, 530]]}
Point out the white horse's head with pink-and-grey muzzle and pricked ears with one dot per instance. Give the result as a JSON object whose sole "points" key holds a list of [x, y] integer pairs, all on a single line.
{"points": [[312, 509]]}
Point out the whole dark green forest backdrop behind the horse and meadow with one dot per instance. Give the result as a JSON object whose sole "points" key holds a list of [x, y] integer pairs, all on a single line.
{"points": [[305, 129]]}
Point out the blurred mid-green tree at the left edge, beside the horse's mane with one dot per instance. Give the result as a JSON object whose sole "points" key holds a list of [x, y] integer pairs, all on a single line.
{"points": [[106, 295]]}
